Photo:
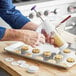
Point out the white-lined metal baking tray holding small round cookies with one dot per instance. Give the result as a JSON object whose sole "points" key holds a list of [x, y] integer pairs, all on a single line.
{"points": [[43, 47]]}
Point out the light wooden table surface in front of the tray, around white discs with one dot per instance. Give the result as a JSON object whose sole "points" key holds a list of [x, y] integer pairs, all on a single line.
{"points": [[45, 70]]}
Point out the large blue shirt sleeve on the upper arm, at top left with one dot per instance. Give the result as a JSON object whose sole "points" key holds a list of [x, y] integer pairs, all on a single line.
{"points": [[11, 15]]}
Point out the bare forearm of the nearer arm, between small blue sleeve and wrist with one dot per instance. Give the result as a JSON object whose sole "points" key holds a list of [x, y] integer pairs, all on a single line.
{"points": [[10, 35]]}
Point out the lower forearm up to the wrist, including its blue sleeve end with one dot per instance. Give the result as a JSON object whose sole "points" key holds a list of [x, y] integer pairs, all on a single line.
{"points": [[8, 34]]}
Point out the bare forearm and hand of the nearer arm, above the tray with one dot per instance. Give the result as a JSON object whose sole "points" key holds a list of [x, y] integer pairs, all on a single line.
{"points": [[29, 37]]}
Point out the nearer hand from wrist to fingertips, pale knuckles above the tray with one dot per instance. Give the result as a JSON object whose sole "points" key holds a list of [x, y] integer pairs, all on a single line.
{"points": [[31, 37]]}
